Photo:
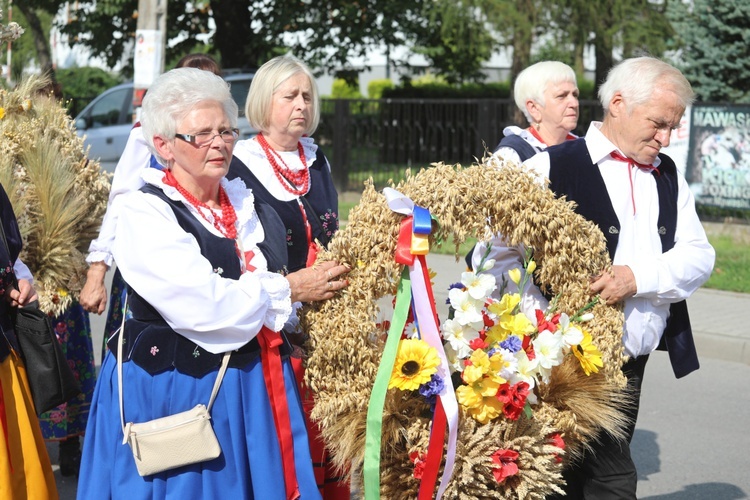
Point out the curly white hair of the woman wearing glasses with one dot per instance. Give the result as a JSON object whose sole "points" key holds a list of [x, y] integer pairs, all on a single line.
{"points": [[173, 94]]}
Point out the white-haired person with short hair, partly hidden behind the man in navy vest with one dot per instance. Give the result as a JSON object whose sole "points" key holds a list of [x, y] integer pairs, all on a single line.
{"points": [[547, 94]]}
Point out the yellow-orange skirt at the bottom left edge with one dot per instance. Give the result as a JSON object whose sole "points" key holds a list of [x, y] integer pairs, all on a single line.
{"points": [[25, 469]]}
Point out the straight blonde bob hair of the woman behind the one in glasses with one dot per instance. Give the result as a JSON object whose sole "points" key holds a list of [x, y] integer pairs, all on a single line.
{"points": [[267, 80]]}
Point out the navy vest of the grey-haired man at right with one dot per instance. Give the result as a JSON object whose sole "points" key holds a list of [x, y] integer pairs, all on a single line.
{"points": [[574, 175]]}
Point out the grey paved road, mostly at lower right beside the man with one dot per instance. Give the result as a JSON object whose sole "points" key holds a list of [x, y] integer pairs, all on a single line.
{"points": [[692, 437]]}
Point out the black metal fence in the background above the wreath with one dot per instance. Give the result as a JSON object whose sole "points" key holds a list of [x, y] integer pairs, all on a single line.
{"points": [[381, 138]]}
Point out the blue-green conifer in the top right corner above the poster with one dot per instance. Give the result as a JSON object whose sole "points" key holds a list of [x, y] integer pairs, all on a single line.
{"points": [[714, 37]]}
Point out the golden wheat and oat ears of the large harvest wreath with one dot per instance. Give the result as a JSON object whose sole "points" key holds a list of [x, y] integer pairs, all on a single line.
{"points": [[520, 457]]}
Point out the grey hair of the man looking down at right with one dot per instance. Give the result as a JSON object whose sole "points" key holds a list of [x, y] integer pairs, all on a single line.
{"points": [[637, 79]]}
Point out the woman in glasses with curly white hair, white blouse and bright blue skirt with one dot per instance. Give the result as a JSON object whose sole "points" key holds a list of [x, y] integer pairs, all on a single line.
{"points": [[190, 245]]}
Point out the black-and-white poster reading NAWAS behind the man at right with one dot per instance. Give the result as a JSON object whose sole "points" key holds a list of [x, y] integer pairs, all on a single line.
{"points": [[718, 168]]}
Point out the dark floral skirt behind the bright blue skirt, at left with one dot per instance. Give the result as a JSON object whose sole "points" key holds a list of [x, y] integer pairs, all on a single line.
{"points": [[74, 332]]}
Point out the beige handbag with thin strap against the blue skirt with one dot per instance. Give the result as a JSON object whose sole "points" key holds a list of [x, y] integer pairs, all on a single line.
{"points": [[175, 440]]}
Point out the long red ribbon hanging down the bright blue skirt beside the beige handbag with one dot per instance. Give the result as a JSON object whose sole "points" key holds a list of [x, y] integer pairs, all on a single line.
{"points": [[273, 373]]}
